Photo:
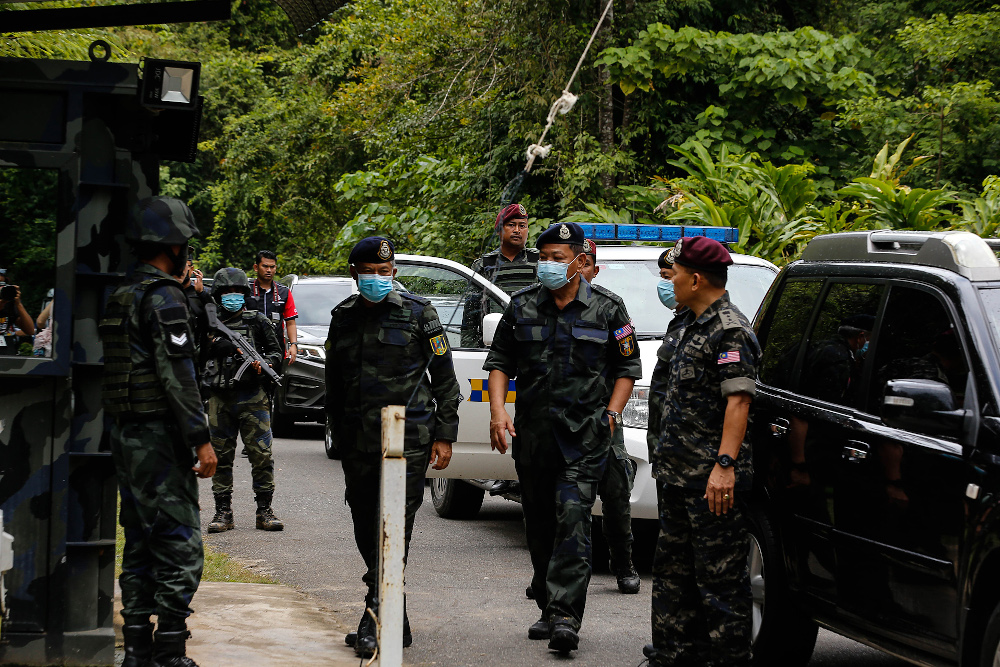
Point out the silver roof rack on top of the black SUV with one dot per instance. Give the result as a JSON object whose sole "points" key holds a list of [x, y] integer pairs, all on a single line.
{"points": [[962, 252]]}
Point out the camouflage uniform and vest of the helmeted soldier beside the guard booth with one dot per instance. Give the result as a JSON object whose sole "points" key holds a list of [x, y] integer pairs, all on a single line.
{"points": [[150, 389]]}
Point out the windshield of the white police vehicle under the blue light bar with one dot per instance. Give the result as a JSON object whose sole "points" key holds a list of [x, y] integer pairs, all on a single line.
{"points": [[635, 282]]}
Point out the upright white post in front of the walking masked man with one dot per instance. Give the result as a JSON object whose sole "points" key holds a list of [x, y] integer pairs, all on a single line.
{"points": [[392, 527]]}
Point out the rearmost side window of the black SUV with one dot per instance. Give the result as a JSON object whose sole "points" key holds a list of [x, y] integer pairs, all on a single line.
{"points": [[783, 334]]}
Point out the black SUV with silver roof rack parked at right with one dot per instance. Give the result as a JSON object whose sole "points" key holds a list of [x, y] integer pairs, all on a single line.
{"points": [[876, 435]]}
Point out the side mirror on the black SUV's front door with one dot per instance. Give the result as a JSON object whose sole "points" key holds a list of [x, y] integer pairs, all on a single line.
{"points": [[923, 406]]}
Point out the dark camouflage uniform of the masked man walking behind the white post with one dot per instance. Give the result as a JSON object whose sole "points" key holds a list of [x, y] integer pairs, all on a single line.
{"points": [[376, 356]]}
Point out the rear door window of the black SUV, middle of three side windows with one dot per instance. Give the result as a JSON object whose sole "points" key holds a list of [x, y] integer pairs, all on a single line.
{"points": [[831, 370]]}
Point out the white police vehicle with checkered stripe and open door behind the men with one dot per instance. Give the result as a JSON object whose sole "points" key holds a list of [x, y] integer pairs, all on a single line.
{"points": [[629, 271]]}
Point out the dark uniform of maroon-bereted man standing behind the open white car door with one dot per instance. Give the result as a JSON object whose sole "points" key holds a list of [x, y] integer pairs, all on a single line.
{"points": [[510, 275]]}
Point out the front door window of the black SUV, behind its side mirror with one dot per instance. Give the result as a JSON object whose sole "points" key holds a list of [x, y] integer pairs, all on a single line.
{"points": [[916, 340]]}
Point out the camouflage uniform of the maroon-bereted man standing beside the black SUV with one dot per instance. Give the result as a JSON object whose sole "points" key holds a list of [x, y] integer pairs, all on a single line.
{"points": [[701, 588]]}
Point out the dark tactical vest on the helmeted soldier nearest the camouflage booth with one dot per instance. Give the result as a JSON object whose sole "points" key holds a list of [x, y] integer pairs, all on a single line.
{"points": [[130, 386]]}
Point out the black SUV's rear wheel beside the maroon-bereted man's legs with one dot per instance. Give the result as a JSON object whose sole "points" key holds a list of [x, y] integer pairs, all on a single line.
{"points": [[782, 635]]}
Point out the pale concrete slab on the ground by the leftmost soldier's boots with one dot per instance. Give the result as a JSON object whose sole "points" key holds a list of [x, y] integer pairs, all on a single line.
{"points": [[244, 625]]}
